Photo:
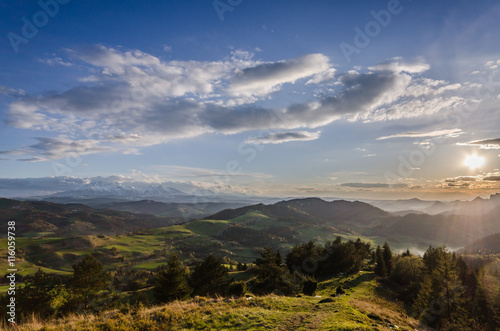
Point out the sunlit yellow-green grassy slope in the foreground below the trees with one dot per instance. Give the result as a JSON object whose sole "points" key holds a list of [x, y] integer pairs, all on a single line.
{"points": [[350, 312]]}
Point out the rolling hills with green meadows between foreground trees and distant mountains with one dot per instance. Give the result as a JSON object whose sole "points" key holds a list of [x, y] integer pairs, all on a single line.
{"points": [[55, 235]]}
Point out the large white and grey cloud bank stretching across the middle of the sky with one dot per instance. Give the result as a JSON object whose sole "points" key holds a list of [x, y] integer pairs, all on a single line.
{"points": [[133, 99]]}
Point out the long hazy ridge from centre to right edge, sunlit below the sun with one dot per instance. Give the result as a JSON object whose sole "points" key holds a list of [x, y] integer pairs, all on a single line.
{"points": [[411, 230]]}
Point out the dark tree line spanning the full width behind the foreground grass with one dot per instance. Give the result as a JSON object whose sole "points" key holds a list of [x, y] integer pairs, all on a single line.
{"points": [[439, 288]]}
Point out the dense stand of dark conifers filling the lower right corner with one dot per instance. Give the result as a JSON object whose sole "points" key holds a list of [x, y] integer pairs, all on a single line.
{"points": [[442, 290]]}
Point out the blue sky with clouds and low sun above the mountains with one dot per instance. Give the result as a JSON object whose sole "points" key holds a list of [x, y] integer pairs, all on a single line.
{"points": [[349, 99]]}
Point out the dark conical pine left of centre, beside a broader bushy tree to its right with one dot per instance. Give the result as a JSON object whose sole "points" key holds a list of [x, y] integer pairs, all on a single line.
{"points": [[171, 282]]}
